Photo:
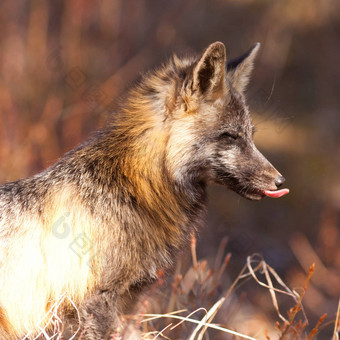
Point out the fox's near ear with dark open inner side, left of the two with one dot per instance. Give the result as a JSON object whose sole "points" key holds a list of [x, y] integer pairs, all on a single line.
{"points": [[209, 72]]}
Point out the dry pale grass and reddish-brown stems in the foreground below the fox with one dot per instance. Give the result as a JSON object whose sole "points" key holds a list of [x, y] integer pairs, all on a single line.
{"points": [[157, 317]]}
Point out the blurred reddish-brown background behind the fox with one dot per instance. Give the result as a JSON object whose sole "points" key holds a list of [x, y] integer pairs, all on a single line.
{"points": [[64, 63]]}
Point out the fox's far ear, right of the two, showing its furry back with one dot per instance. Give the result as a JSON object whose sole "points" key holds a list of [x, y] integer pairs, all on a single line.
{"points": [[239, 69]]}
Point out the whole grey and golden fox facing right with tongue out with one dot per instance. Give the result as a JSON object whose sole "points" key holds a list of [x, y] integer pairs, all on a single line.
{"points": [[102, 222]]}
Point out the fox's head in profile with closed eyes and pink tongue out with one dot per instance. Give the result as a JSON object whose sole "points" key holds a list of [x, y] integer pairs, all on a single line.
{"points": [[210, 133]]}
